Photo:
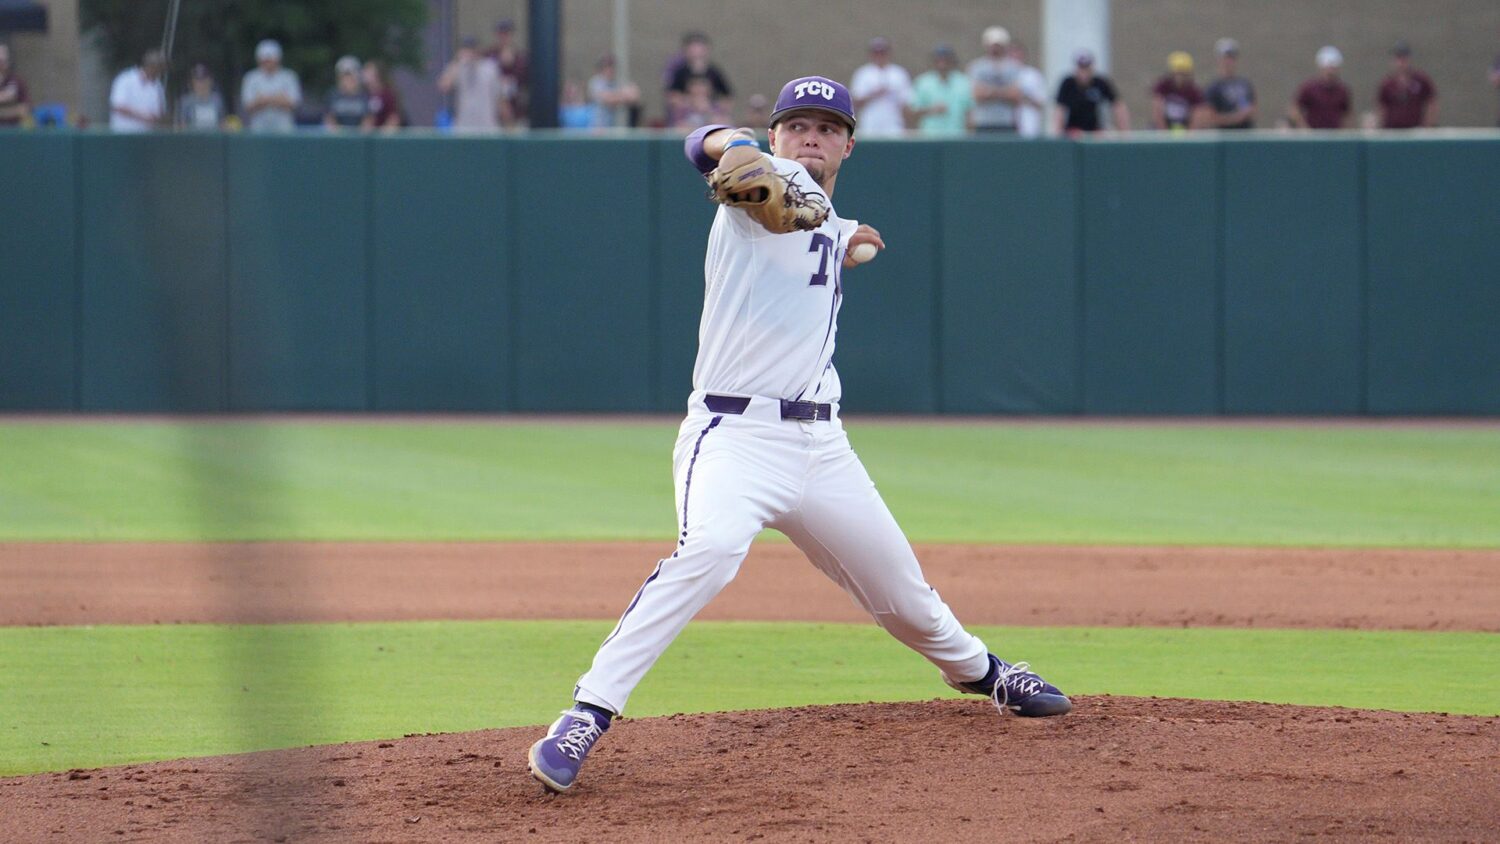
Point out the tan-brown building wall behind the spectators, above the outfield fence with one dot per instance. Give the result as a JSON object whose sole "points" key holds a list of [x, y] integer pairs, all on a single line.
{"points": [[761, 46]]}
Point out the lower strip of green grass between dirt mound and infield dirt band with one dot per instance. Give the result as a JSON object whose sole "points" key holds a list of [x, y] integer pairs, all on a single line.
{"points": [[80, 698]]}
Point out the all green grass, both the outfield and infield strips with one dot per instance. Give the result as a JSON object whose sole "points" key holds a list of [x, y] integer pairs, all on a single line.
{"points": [[95, 696]]}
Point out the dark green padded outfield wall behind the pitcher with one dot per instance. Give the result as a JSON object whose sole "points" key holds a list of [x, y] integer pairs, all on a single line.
{"points": [[421, 274]]}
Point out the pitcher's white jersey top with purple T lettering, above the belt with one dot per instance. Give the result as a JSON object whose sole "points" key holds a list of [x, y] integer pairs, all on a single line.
{"points": [[772, 305]]}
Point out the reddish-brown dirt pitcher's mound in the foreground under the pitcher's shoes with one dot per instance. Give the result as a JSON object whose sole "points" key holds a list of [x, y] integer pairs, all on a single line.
{"points": [[938, 771]]}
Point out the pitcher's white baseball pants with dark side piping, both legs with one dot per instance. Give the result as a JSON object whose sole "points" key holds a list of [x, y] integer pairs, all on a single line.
{"points": [[739, 474]]}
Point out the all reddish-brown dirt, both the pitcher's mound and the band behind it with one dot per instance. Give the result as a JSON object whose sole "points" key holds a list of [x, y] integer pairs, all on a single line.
{"points": [[1115, 770]]}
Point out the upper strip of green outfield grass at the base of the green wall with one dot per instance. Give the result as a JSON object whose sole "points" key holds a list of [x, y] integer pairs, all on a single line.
{"points": [[611, 480]]}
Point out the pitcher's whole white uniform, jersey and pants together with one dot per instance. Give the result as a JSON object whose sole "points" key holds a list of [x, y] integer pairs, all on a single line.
{"points": [[770, 314]]}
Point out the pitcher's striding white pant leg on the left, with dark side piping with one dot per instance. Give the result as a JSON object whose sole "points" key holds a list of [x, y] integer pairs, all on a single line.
{"points": [[724, 501]]}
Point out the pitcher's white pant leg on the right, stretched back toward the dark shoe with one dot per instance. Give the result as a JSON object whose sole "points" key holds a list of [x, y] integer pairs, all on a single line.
{"points": [[848, 533]]}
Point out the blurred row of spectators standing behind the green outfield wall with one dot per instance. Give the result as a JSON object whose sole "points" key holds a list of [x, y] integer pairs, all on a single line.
{"points": [[485, 89]]}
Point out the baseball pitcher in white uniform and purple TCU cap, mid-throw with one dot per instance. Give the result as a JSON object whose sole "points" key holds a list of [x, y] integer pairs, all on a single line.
{"points": [[764, 444]]}
